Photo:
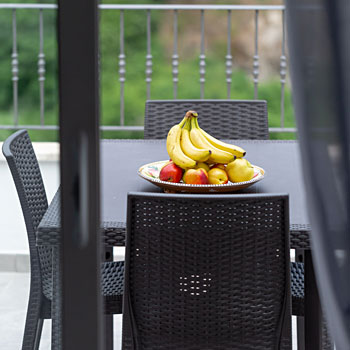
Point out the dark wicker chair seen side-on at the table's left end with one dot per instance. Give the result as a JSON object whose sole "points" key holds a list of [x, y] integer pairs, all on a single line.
{"points": [[26, 174]]}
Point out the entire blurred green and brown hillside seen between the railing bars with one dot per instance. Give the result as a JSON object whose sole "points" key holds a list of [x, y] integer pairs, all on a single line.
{"points": [[135, 51]]}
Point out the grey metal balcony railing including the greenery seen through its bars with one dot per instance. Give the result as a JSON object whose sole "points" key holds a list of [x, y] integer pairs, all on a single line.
{"points": [[233, 51]]}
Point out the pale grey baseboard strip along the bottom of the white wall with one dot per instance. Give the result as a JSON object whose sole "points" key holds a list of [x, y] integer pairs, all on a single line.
{"points": [[19, 261]]}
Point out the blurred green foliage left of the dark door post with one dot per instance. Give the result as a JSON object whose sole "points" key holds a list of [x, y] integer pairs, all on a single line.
{"points": [[28, 85]]}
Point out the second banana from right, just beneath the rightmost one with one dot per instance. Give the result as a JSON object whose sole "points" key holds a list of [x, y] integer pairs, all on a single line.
{"points": [[198, 139]]}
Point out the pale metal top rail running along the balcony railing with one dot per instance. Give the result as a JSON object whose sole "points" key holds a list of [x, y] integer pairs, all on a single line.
{"points": [[152, 7]]}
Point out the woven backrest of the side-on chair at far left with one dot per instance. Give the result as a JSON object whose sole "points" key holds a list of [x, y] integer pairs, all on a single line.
{"points": [[20, 156]]}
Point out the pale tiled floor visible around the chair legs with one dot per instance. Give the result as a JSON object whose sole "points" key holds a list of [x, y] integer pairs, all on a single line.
{"points": [[14, 287]]}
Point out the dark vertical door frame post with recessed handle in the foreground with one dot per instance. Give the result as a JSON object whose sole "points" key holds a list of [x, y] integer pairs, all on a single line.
{"points": [[79, 138]]}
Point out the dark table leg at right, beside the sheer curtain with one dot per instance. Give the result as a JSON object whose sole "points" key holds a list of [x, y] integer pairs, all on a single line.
{"points": [[313, 312]]}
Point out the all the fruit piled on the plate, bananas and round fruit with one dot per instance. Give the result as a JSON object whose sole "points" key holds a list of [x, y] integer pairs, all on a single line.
{"points": [[196, 157]]}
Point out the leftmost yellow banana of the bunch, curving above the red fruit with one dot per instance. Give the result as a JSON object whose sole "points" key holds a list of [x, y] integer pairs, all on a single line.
{"points": [[174, 148]]}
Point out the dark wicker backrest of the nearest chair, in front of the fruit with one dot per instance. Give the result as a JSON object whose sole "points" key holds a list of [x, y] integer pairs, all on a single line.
{"points": [[207, 272]]}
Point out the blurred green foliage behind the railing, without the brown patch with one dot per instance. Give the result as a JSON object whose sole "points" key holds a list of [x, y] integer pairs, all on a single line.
{"points": [[135, 86]]}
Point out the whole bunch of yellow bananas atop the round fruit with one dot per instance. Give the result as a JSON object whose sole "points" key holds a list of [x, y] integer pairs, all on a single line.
{"points": [[188, 144]]}
